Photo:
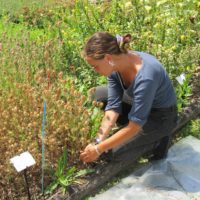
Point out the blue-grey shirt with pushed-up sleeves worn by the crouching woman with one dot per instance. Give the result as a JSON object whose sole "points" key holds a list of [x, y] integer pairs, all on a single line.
{"points": [[151, 88]]}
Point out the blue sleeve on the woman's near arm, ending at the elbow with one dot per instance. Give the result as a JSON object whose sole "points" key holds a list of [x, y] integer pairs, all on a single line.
{"points": [[143, 96]]}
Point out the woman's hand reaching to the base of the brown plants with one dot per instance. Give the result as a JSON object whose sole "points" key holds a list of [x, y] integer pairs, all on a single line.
{"points": [[89, 154]]}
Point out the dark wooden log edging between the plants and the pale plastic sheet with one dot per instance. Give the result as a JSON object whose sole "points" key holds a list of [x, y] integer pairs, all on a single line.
{"points": [[118, 163]]}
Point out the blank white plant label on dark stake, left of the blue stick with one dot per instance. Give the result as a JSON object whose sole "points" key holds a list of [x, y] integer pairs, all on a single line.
{"points": [[22, 161]]}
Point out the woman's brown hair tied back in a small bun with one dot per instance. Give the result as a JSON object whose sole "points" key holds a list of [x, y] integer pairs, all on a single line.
{"points": [[102, 43]]}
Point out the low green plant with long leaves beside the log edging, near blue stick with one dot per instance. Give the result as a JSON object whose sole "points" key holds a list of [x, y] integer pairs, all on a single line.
{"points": [[65, 175]]}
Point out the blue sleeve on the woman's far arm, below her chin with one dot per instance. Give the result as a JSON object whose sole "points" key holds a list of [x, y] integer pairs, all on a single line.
{"points": [[115, 93]]}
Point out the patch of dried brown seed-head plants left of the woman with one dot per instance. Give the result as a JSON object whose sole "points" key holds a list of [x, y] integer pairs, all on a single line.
{"points": [[21, 108]]}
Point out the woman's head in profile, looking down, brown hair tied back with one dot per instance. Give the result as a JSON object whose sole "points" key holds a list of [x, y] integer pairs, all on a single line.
{"points": [[101, 50]]}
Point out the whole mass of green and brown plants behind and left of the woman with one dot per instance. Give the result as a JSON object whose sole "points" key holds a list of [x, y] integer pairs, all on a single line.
{"points": [[40, 60]]}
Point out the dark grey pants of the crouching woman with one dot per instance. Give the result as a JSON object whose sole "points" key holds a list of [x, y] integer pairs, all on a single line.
{"points": [[157, 129]]}
